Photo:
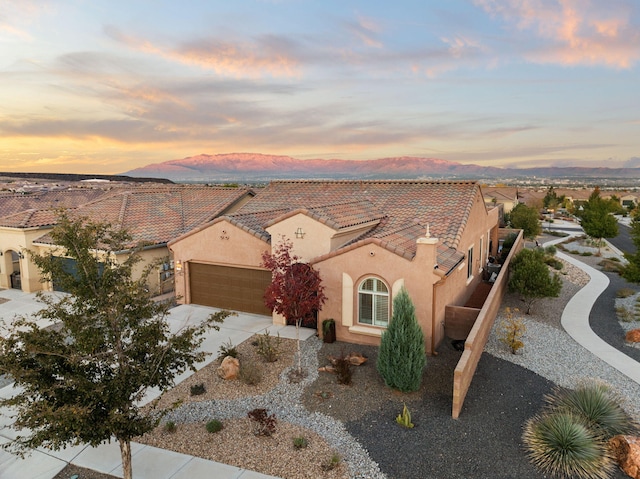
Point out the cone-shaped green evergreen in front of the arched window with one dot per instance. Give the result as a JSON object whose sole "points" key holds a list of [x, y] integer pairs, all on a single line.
{"points": [[401, 358]]}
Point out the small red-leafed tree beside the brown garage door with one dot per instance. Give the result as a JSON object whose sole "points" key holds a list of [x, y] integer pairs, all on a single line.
{"points": [[296, 290]]}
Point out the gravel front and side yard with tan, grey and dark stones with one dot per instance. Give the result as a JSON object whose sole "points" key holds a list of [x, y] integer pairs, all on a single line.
{"points": [[358, 421]]}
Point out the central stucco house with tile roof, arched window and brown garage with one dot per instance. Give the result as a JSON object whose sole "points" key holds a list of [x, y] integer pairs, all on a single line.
{"points": [[367, 239]]}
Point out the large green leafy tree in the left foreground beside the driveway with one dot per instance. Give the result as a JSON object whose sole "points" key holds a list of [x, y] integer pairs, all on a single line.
{"points": [[81, 382]]}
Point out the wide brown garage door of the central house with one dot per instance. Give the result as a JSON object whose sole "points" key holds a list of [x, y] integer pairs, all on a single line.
{"points": [[238, 289]]}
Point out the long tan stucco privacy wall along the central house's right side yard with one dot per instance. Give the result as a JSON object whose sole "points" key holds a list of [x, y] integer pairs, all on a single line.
{"points": [[474, 345]]}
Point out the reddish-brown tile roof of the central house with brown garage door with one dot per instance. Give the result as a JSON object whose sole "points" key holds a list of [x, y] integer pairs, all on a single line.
{"points": [[404, 208]]}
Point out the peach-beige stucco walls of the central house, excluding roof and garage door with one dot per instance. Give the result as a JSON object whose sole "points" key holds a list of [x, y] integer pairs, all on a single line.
{"points": [[344, 269]]}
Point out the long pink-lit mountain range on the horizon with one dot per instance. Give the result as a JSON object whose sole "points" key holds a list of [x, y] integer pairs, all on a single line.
{"points": [[259, 167]]}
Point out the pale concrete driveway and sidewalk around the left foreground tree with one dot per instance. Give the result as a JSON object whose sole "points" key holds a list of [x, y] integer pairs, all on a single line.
{"points": [[148, 462]]}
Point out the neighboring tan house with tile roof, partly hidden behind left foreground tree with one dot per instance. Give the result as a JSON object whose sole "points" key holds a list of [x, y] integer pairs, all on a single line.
{"points": [[151, 216]]}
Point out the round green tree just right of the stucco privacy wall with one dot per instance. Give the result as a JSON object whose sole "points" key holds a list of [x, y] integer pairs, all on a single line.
{"points": [[530, 277]]}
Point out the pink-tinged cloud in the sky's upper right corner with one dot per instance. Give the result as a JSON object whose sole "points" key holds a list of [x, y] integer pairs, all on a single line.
{"points": [[574, 32]]}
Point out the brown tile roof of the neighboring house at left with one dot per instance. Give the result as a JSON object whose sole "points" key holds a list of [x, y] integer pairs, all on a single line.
{"points": [[155, 216]]}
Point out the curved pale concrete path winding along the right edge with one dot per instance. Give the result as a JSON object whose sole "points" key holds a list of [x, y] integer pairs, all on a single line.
{"points": [[575, 321]]}
